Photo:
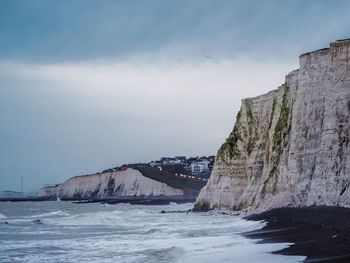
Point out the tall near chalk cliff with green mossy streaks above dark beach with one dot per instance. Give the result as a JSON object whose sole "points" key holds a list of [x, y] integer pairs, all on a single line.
{"points": [[290, 147]]}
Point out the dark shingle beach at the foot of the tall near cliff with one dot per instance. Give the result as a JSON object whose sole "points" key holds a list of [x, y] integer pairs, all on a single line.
{"points": [[322, 234]]}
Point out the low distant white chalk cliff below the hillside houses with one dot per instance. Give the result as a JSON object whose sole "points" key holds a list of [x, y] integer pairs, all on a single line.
{"points": [[129, 182]]}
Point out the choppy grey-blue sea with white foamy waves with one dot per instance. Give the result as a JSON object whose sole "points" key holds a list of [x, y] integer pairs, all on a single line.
{"points": [[35, 232]]}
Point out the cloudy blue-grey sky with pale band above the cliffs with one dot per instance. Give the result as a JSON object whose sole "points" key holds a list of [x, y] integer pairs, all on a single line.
{"points": [[89, 85]]}
